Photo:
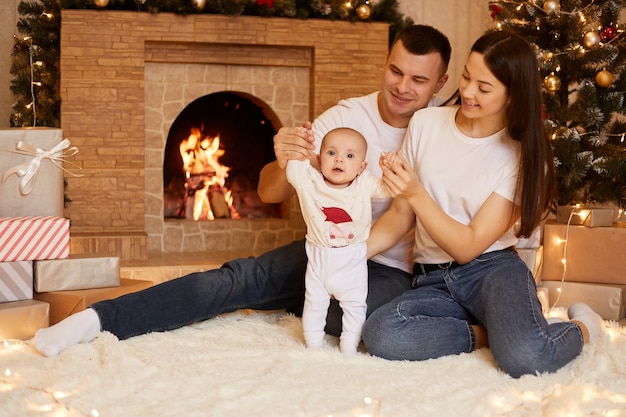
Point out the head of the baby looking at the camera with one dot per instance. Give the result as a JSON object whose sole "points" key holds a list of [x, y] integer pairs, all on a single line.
{"points": [[342, 157]]}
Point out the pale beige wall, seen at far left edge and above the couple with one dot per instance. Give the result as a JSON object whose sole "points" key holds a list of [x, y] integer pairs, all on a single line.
{"points": [[461, 20]]}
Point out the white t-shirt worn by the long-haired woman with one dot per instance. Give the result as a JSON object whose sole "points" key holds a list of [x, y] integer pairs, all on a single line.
{"points": [[459, 173]]}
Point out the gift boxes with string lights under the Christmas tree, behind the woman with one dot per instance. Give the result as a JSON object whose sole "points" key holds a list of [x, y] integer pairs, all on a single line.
{"points": [[585, 262]]}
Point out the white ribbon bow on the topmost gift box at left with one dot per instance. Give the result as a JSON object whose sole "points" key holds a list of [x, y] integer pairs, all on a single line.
{"points": [[28, 170]]}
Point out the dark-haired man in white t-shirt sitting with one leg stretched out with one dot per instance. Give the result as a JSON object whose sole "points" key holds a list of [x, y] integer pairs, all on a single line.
{"points": [[415, 70]]}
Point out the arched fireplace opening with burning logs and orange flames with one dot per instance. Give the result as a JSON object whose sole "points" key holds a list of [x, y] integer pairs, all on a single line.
{"points": [[214, 153]]}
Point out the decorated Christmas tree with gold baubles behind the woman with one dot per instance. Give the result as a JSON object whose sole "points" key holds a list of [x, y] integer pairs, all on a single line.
{"points": [[581, 49]]}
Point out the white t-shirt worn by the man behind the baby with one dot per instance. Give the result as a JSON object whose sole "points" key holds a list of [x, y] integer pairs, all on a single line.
{"points": [[362, 115]]}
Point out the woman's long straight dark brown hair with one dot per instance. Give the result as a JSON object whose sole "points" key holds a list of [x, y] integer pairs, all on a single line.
{"points": [[512, 61]]}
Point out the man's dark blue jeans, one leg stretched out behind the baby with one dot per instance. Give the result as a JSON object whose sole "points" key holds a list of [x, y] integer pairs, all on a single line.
{"points": [[274, 280]]}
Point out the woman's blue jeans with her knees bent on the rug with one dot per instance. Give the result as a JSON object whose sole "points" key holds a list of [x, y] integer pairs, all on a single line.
{"points": [[495, 290]]}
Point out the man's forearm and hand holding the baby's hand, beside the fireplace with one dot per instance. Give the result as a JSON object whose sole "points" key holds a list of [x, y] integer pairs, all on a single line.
{"points": [[289, 143]]}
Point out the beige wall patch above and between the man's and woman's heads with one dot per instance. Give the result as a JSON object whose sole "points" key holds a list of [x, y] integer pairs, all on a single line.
{"points": [[462, 21]]}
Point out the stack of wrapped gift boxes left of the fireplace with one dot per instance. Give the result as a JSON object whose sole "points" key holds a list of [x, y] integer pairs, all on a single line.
{"points": [[40, 283]]}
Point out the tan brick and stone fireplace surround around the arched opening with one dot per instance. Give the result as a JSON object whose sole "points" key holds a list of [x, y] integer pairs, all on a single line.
{"points": [[127, 76]]}
